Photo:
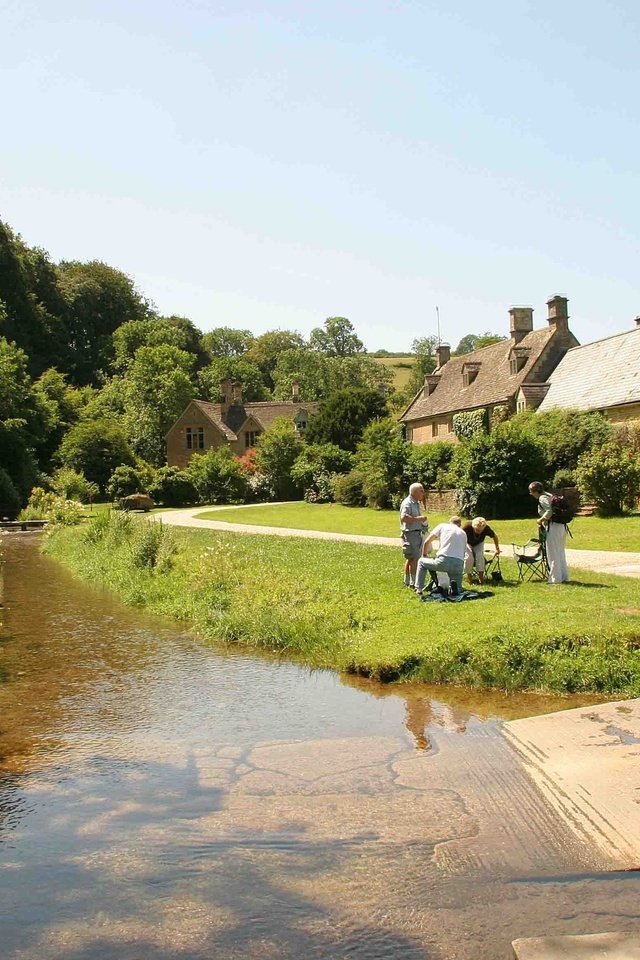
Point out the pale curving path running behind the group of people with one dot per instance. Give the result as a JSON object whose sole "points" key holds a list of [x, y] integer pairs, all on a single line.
{"points": [[601, 561]]}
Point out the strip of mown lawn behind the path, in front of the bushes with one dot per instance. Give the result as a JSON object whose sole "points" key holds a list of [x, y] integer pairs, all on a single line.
{"points": [[589, 533]]}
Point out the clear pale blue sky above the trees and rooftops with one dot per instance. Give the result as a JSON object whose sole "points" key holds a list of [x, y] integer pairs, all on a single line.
{"points": [[267, 165]]}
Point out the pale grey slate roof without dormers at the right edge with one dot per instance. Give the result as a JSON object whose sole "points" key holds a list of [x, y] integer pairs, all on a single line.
{"points": [[594, 376]]}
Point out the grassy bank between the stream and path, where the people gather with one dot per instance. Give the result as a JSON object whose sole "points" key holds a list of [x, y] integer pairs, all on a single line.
{"points": [[343, 606]]}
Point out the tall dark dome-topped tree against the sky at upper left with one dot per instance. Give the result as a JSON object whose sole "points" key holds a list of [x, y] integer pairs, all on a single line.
{"points": [[98, 299]]}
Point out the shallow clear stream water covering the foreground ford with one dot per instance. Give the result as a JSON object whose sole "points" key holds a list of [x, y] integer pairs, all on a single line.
{"points": [[161, 799]]}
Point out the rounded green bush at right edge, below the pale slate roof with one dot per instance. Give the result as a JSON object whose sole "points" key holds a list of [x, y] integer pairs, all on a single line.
{"points": [[610, 477]]}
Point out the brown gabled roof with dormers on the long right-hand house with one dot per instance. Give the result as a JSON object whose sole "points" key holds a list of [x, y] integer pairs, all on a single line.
{"points": [[494, 382]]}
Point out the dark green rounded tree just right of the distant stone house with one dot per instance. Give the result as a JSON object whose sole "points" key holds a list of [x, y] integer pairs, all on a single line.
{"points": [[344, 415]]}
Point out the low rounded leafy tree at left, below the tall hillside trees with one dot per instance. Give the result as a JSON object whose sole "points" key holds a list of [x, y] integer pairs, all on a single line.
{"points": [[95, 448]]}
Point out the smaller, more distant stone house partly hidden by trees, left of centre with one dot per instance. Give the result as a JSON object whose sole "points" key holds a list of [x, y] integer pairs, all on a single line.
{"points": [[231, 422]]}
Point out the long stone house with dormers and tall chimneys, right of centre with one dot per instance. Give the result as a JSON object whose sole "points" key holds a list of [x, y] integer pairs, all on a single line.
{"points": [[510, 375]]}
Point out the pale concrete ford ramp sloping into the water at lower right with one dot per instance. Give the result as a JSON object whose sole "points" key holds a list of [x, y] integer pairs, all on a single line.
{"points": [[586, 762]]}
